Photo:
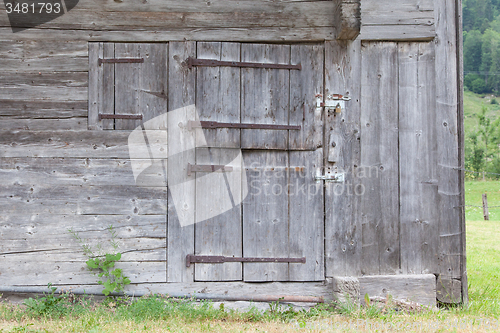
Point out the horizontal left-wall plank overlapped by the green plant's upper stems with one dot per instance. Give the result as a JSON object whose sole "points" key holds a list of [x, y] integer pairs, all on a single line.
{"points": [[49, 233]]}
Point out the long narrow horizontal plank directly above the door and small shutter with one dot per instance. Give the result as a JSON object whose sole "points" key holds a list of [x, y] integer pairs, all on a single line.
{"points": [[271, 34]]}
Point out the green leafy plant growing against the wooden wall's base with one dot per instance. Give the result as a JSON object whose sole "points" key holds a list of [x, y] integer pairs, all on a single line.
{"points": [[111, 278]]}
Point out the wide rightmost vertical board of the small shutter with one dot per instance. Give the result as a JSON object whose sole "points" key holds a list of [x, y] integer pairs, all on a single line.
{"points": [[153, 81]]}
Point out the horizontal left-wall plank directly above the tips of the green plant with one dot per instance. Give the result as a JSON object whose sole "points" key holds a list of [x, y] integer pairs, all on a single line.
{"points": [[85, 200]]}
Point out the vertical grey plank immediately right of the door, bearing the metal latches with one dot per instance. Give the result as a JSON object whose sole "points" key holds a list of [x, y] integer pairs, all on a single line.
{"points": [[343, 244]]}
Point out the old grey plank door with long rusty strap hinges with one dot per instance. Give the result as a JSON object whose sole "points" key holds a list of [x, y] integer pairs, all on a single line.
{"points": [[282, 215]]}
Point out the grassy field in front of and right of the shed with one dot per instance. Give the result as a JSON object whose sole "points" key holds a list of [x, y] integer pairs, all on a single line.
{"points": [[158, 314]]}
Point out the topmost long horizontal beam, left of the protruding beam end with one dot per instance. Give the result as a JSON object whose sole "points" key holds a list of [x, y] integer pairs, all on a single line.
{"points": [[232, 14]]}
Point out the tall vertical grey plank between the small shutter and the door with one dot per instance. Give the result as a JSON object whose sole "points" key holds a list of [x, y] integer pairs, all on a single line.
{"points": [[181, 94]]}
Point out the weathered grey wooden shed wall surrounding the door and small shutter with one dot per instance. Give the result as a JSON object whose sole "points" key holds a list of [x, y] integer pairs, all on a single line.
{"points": [[56, 174]]}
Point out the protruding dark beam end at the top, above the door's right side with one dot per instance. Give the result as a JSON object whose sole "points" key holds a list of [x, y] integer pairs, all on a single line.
{"points": [[347, 15]]}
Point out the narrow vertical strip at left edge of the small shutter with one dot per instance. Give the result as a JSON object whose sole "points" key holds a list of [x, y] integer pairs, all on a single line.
{"points": [[95, 52]]}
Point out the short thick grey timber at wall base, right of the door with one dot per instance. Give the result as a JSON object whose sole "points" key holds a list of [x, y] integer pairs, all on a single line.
{"points": [[414, 288]]}
